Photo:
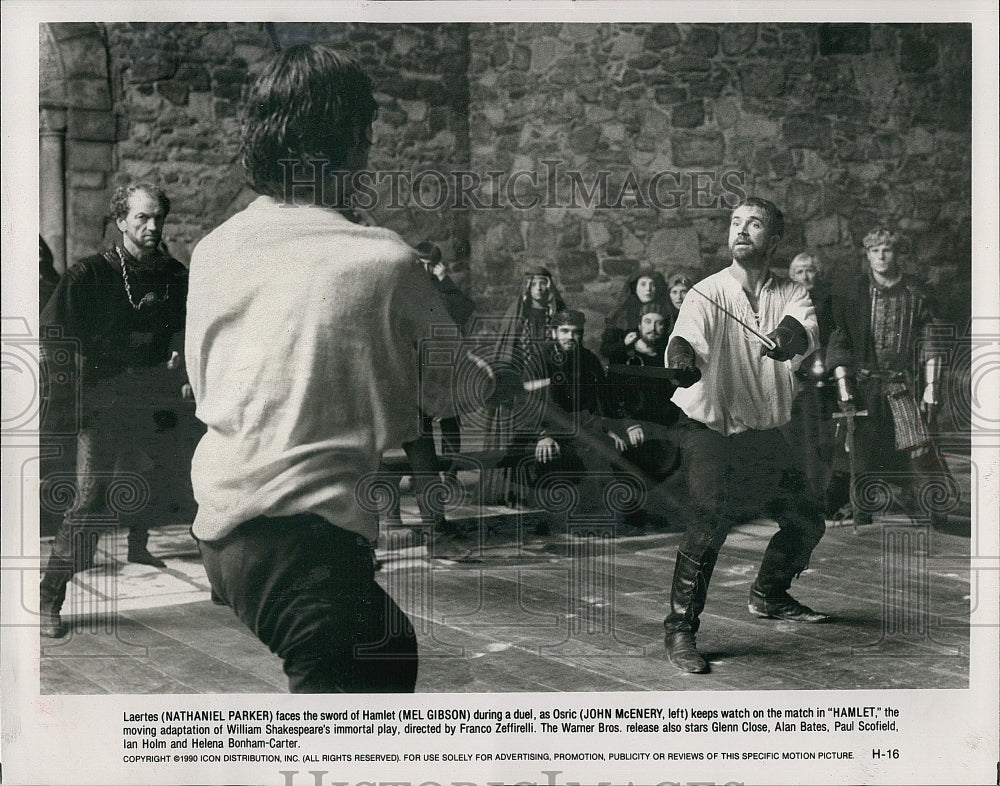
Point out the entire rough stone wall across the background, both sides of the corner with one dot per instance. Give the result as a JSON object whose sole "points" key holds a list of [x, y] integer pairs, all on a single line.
{"points": [[632, 140]]}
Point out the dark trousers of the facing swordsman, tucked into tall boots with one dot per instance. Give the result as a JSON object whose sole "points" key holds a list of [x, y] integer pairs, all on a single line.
{"points": [[733, 478]]}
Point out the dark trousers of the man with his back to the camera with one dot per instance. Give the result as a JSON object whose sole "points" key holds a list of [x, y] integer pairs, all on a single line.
{"points": [[307, 589]]}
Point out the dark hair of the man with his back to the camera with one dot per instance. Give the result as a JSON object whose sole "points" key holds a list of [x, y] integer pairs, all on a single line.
{"points": [[310, 103]]}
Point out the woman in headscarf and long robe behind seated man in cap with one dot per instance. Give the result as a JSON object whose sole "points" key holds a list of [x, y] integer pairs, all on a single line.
{"points": [[517, 355]]}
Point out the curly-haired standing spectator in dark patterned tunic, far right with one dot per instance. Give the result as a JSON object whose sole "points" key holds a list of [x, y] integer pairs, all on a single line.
{"points": [[884, 342]]}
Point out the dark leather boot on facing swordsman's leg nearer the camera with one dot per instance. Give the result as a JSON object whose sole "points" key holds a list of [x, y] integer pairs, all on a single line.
{"points": [[687, 600]]}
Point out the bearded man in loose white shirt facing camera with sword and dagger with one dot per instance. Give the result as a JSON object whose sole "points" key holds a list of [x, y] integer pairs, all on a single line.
{"points": [[734, 455]]}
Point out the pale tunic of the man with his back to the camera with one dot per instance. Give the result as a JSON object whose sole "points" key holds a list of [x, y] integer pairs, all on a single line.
{"points": [[300, 346]]}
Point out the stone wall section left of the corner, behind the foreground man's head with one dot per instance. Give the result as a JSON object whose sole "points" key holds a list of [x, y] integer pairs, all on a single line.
{"points": [[181, 88]]}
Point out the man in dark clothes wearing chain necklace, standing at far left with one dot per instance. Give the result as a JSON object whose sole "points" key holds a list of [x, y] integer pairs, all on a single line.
{"points": [[121, 307]]}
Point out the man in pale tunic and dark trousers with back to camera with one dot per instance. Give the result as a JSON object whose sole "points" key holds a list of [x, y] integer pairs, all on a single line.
{"points": [[301, 335]]}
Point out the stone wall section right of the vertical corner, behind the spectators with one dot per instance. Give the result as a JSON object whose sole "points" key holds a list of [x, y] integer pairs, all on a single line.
{"points": [[844, 126]]}
